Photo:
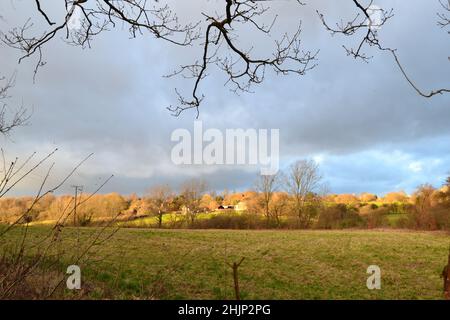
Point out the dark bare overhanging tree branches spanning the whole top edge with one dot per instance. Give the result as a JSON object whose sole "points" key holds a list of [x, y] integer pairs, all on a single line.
{"points": [[218, 35]]}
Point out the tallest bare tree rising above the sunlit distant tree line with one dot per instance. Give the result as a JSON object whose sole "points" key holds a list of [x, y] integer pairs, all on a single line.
{"points": [[302, 181]]}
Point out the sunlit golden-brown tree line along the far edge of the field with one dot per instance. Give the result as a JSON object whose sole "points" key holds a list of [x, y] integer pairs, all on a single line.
{"points": [[296, 198]]}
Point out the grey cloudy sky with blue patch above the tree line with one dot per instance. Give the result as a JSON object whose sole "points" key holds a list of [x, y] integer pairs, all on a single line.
{"points": [[362, 123]]}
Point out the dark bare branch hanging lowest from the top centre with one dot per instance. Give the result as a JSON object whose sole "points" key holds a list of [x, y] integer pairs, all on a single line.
{"points": [[242, 69]]}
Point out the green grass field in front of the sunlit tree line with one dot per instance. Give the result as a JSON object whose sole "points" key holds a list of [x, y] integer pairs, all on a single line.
{"points": [[192, 264]]}
